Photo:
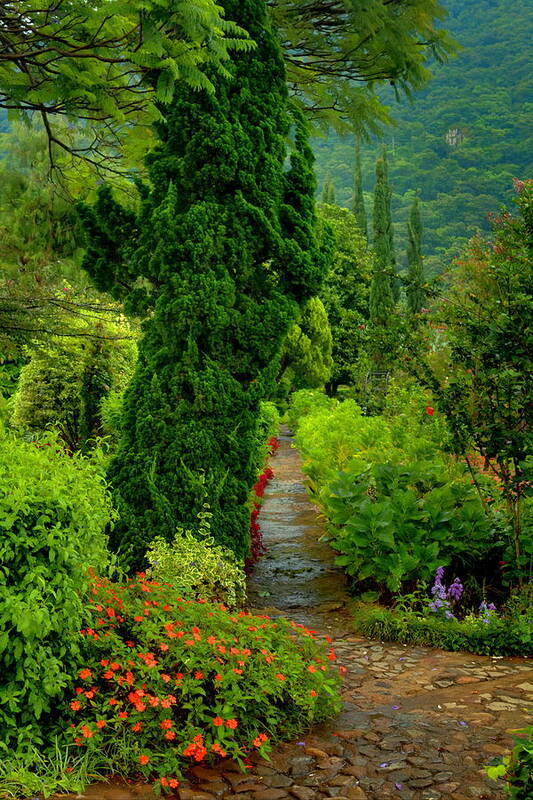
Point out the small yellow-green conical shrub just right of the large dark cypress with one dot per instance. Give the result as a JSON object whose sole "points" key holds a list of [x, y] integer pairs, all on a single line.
{"points": [[306, 357]]}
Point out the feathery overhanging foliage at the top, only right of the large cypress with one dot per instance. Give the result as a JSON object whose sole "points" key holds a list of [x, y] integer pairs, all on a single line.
{"points": [[337, 51]]}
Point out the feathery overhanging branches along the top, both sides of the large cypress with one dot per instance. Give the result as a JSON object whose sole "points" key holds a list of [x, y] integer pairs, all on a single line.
{"points": [[108, 63]]}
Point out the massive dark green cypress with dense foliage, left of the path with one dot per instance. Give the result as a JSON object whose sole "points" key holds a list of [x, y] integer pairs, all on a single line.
{"points": [[223, 251]]}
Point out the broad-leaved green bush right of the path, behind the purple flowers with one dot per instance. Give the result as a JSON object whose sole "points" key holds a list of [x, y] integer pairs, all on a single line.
{"points": [[394, 523]]}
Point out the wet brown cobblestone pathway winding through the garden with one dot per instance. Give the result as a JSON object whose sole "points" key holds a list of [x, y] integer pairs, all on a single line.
{"points": [[417, 724]]}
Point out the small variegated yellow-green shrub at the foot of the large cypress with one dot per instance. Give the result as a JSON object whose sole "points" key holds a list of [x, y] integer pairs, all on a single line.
{"points": [[196, 567]]}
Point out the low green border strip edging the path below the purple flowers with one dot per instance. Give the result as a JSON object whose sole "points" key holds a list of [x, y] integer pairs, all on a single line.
{"points": [[504, 636]]}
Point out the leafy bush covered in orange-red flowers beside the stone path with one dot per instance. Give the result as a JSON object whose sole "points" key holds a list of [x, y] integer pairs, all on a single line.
{"points": [[169, 682]]}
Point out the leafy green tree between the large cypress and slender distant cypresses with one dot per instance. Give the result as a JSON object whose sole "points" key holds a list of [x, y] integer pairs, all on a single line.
{"points": [[346, 292]]}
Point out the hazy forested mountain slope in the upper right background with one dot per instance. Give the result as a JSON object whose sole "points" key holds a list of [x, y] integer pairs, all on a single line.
{"points": [[463, 139]]}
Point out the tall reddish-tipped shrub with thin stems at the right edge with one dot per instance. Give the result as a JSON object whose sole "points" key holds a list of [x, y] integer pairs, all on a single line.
{"points": [[481, 379]]}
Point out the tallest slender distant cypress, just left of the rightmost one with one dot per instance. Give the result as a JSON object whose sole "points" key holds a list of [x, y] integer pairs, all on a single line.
{"points": [[381, 289]]}
